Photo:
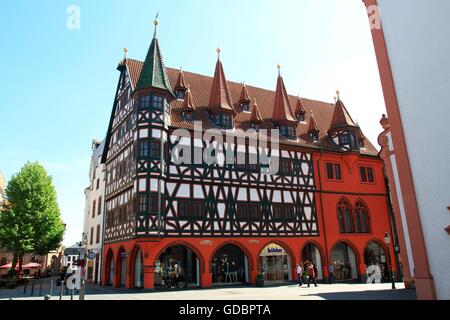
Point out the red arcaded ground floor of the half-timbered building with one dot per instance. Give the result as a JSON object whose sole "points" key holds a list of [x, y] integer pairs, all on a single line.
{"points": [[206, 262]]}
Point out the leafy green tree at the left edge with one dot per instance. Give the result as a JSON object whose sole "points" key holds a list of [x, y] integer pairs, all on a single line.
{"points": [[30, 222]]}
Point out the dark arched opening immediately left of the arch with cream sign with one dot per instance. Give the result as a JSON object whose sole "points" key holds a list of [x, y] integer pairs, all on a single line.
{"points": [[229, 266]]}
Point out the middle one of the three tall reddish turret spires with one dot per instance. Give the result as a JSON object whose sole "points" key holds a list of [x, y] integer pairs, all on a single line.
{"points": [[282, 110]]}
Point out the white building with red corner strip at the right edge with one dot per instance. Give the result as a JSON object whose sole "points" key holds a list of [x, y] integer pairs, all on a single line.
{"points": [[413, 54]]}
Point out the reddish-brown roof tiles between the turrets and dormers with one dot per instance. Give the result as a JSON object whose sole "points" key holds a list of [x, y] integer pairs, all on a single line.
{"points": [[200, 86]]}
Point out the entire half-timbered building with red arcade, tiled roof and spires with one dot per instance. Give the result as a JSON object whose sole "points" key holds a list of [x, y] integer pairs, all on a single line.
{"points": [[171, 223]]}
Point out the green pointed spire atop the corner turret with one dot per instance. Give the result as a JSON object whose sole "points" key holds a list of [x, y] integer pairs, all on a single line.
{"points": [[153, 74]]}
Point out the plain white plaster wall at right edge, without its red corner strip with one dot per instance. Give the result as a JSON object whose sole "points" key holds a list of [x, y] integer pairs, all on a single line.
{"points": [[417, 34]]}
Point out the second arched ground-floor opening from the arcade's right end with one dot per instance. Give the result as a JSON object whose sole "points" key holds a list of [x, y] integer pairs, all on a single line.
{"points": [[343, 259]]}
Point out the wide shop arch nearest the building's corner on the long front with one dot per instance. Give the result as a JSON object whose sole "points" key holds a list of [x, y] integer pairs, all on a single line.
{"points": [[177, 267]]}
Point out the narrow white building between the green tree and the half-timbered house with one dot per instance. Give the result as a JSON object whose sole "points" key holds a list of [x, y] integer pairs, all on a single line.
{"points": [[94, 213]]}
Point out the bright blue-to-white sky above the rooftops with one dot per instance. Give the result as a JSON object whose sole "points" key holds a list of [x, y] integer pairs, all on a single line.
{"points": [[58, 84]]}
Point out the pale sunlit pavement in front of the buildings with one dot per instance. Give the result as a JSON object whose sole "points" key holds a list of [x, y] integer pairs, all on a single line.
{"points": [[282, 292]]}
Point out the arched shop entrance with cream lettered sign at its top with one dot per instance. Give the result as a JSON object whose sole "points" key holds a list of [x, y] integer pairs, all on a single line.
{"points": [[275, 263]]}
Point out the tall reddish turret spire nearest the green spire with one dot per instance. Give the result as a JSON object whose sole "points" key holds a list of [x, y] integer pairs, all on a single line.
{"points": [[220, 98]]}
